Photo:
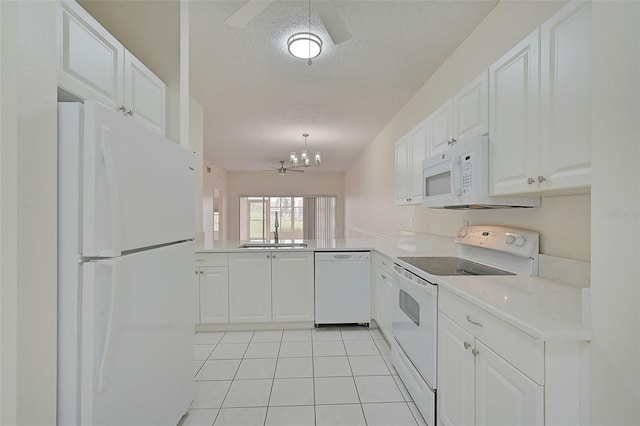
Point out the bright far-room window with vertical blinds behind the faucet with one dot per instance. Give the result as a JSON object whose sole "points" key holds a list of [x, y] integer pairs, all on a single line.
{"points": [[298, 217]]}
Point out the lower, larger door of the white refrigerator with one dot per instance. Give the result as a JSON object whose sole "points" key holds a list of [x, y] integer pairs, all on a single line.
{"points": [[136, 354]]}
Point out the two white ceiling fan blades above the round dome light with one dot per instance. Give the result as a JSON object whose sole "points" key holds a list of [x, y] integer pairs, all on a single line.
{"points": [[327, 11]]}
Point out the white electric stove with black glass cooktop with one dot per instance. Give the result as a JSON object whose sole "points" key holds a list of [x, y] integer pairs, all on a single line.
{"points": [[484, 250]]}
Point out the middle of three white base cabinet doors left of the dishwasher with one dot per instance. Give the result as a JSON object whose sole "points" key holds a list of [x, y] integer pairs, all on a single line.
{"points": [[249, 287]]}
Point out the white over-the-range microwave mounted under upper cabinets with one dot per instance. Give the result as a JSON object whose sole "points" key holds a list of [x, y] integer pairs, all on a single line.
{"points": [[458, 178]]}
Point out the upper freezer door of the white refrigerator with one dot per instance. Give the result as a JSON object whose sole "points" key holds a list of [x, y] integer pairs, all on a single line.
{"points": [[138, 188]]}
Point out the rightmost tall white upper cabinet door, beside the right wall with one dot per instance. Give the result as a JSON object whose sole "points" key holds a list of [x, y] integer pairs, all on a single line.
{"points": [[565, 157]]}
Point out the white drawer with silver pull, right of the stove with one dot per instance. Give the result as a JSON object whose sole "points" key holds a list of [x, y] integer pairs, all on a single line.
{"points": [[521, 350]]}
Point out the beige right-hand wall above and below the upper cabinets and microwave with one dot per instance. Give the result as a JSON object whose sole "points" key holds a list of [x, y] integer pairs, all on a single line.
{"points": [[369, 184]]}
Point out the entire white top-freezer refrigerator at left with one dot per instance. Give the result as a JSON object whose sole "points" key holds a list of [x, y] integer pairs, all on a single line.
{"points": [[126, 200]]}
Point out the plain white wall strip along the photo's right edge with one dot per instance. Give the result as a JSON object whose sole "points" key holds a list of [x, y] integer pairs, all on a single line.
{"points": [[615, 227]]}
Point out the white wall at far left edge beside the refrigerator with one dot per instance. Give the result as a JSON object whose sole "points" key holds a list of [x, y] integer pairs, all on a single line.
{"points": [[28, 224]]}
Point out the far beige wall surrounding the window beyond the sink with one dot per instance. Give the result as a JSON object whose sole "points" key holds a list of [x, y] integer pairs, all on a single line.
{"points": [[263, 183]]}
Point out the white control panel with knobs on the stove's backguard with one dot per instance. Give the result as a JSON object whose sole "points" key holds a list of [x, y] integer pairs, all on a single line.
{"points": [[520, 242]]}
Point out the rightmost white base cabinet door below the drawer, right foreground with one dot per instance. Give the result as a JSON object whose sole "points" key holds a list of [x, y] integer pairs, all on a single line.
{"points": [[505, 396]]}
